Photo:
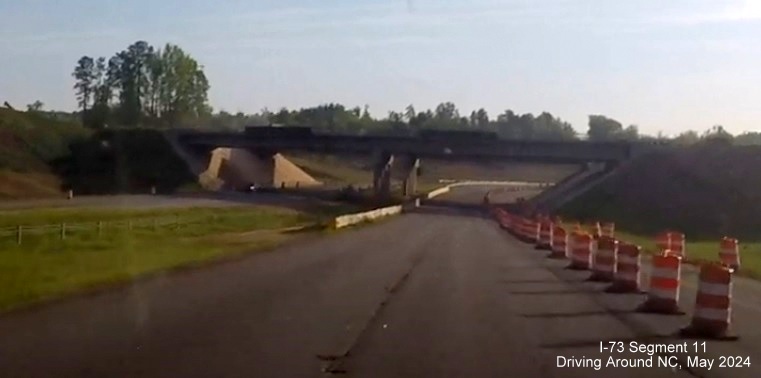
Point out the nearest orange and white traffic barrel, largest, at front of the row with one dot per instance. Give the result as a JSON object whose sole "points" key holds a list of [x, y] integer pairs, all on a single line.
{"points": [[713, 304]]}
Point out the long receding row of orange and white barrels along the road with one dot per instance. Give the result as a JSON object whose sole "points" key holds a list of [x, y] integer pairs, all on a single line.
{"points": [[619, 263]]}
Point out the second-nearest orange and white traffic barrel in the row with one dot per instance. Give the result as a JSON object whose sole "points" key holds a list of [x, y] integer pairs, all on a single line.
{"points": [[663, 294]]}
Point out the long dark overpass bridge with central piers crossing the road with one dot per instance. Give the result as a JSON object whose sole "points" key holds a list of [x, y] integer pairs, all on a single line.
{"points": [[408, 150]]}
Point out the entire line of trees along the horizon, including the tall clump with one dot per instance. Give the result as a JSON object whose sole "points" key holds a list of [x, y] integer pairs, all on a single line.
{"points": [[166, 87]]}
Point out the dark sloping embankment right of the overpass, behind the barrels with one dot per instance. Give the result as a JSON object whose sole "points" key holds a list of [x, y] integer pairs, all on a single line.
{"points": [[707, 191]]}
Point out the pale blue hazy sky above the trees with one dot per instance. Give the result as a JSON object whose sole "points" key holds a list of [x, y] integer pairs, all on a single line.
{"points": [[663, 65]]}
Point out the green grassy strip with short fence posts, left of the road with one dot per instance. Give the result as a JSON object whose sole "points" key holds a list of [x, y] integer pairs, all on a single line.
{"points": [[44, 266]]}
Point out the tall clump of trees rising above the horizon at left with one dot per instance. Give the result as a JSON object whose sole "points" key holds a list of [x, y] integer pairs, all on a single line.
{"points": [[141, 85]]}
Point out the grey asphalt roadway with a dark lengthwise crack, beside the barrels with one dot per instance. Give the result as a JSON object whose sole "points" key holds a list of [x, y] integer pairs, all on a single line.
{"points": [[436, 293]]}
